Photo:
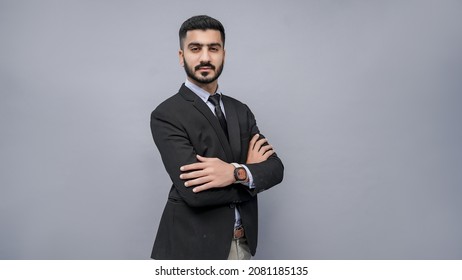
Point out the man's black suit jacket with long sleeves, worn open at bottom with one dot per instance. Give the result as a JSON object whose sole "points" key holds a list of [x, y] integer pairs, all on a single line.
{"points": [[200, 225]]}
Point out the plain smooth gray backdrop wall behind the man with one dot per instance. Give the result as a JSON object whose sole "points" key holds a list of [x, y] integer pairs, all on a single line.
{"points": [[361, 100]]}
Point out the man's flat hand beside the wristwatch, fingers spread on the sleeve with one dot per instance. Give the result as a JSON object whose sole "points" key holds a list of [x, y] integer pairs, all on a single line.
{"points": [[207, 173]]}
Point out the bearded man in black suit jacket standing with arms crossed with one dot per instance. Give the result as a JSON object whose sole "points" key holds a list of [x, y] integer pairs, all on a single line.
{"points": [[217, 160]]}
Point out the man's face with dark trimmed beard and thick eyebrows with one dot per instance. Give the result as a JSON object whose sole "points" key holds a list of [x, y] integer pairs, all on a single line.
{"points": [[203, 55]]}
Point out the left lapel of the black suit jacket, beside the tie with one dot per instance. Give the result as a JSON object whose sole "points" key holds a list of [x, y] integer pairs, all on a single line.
{"points": [[205, 110]]}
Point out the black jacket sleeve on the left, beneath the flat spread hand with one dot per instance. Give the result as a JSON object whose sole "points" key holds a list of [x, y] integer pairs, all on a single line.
{"points": [[176, 150]]}
